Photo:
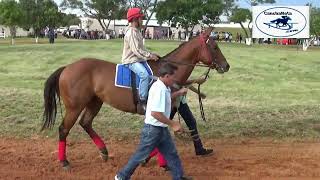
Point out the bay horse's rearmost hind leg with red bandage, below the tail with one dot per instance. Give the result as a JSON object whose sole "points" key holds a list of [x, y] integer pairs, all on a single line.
{"points": [[70, 118]]}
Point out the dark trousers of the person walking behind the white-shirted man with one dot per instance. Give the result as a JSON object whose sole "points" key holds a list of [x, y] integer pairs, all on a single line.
{"points": [[190, 121]]}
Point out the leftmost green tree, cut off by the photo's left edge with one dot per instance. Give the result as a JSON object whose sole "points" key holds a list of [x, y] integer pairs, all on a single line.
{"points": [[10, 16]]}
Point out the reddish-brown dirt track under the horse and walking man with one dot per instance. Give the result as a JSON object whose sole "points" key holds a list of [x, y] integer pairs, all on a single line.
{"points": [[251, 159]]}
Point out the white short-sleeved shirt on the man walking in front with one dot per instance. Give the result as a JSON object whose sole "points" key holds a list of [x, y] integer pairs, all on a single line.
{"points": [[159, 100]]}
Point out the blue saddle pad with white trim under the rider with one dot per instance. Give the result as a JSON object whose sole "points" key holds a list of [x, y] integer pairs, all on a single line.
{"points": [[123, 75]]}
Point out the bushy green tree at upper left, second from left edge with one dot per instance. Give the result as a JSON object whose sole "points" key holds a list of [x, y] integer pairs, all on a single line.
{"points": [[38, 14]]}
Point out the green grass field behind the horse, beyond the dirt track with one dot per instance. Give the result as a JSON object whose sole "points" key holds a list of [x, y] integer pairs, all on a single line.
{"points": [[270, 91]]}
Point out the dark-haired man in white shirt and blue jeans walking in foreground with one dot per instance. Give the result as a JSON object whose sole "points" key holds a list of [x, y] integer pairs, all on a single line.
{"points": [[155, 133]]}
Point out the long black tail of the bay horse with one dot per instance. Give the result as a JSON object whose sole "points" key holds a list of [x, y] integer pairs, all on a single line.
{"points": [[51, 93]]}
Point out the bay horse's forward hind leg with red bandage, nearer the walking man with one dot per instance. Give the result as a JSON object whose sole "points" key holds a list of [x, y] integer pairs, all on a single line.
{"points": [[90, 112]]}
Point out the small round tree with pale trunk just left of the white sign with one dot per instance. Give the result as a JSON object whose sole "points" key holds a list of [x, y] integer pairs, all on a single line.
{"points": [[241, 15]]}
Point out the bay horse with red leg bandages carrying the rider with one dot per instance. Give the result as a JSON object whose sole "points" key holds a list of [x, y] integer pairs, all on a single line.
{"points": [[85, 84]]}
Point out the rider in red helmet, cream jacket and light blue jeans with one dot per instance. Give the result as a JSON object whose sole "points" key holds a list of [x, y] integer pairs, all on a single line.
{"points": [[134, 52]]}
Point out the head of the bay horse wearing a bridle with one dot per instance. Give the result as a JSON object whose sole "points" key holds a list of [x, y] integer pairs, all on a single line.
{"points": [[210, 54]]}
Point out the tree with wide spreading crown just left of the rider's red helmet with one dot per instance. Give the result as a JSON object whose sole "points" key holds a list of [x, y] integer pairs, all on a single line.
{"points": [[98, 9]]}
